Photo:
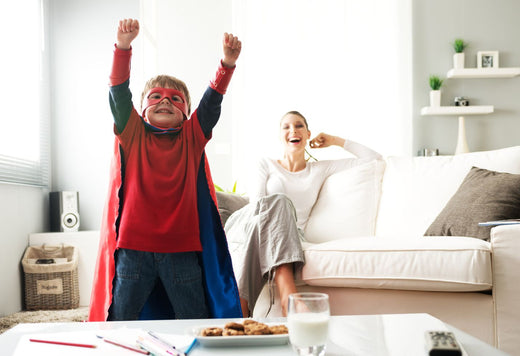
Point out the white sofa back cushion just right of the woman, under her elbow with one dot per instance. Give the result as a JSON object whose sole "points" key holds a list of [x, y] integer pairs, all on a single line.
{"points": [[347, 204]]}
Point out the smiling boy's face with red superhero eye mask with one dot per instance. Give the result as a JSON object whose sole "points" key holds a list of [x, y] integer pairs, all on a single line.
{"points": [[165, 108]]}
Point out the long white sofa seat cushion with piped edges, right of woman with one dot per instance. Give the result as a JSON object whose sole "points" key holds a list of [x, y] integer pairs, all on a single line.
{"points": [[429, 263]]}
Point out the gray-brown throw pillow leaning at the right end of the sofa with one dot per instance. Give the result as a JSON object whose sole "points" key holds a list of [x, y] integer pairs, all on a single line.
{"points": [[483, 196]]}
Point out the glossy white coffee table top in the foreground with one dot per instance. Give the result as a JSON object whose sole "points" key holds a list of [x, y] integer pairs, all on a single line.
{"points": [[374, 335]]}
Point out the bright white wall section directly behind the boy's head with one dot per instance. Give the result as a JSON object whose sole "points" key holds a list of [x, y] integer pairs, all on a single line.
{"points": [[184, 39]]}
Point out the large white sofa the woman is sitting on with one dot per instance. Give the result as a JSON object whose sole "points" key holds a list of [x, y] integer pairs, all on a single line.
{"points": [[366, 248]]}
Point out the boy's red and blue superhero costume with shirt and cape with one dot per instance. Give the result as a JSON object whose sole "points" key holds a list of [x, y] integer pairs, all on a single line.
{"points": [[219, 282]]}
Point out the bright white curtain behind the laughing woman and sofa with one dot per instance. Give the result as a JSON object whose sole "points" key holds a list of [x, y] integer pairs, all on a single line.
{"points": [[344, 64]]}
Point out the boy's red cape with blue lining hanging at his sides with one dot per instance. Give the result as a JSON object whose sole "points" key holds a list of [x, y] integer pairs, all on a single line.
{"points": [[220, 284]]}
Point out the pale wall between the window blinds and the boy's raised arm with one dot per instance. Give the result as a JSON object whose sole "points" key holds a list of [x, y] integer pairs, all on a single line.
{"points": [[83, 34]]}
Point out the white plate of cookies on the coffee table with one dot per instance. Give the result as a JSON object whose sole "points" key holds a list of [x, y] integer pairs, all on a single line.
{"points": [[246, 332]]}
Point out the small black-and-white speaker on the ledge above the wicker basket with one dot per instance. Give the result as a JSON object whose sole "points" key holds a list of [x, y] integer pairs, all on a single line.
{"points": [[64, 211]]}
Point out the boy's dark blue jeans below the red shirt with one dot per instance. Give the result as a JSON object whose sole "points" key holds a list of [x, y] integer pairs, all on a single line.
{"points": [[137, 273]]}
